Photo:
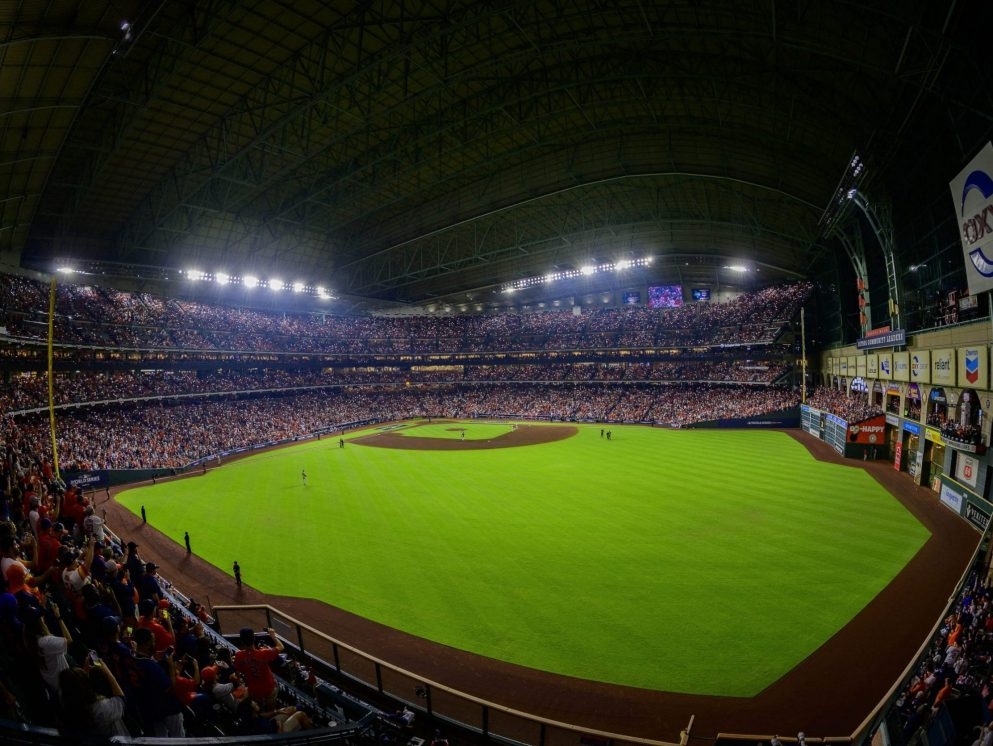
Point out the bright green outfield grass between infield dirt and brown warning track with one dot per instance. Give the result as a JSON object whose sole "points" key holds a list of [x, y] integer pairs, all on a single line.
{"points": [[706, 562]]}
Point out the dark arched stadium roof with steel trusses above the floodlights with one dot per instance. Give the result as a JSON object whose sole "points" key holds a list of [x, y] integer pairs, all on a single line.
{"points": [[403, 152]]}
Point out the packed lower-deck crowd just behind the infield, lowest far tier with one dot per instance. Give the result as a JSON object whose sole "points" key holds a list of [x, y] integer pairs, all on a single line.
{"points": [[156, 435]]}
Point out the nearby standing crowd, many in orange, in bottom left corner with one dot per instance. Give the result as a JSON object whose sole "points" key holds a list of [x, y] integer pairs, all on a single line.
{"points": [[96, 644]]}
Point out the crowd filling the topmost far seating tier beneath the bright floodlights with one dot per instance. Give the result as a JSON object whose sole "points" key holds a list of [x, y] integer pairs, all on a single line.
{"points": [[100, 317]]}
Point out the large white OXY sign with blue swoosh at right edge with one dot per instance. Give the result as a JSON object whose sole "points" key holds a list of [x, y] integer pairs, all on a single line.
{"points": [[972, 194]]}
